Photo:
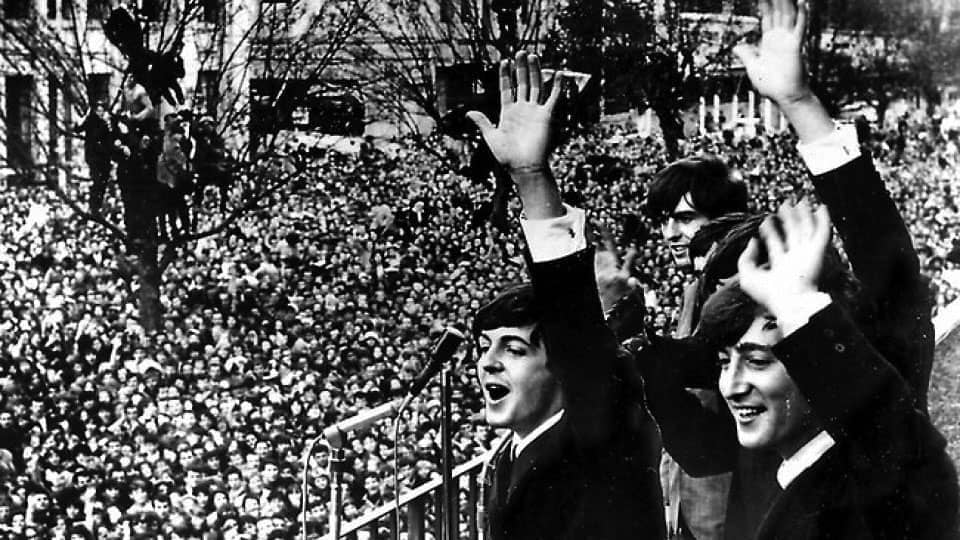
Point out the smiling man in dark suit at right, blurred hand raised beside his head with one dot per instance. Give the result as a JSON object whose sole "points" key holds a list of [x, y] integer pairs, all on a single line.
{"points": [[859, 460]]}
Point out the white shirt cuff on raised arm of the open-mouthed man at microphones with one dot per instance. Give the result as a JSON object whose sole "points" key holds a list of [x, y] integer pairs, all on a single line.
{"points": [[555, 238]]}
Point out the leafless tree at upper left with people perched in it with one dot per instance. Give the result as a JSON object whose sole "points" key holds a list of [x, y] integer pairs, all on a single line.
{"points": [[63, 54]]}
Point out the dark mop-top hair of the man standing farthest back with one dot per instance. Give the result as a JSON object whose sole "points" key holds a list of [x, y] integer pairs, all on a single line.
{"points": [[706, 178]]}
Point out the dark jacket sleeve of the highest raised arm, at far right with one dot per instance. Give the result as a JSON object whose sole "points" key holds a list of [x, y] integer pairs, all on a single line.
{"points": [[881, 253]]}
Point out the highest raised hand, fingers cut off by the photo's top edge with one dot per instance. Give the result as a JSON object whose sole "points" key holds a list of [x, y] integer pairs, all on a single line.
{"points": [[775, 66]]}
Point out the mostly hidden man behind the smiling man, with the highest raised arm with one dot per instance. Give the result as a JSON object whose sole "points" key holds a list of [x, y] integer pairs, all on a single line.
{"points": [[890, 304]]}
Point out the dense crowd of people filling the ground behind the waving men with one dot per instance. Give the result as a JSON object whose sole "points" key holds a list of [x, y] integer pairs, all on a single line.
{"points": [[298, 318]]}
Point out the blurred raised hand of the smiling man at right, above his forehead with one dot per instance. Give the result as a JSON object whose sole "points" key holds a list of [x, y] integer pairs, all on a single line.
{"points": [[796, 257]]}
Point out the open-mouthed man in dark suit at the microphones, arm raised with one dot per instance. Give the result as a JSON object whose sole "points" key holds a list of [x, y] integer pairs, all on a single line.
{"points": [[580, 458]]}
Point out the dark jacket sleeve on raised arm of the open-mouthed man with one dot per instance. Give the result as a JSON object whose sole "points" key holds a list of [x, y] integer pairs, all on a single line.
{"points": [[581, 348]]}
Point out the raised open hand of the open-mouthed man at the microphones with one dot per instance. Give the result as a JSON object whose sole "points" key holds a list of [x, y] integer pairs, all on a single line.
{"points": [[521, 141]]}
